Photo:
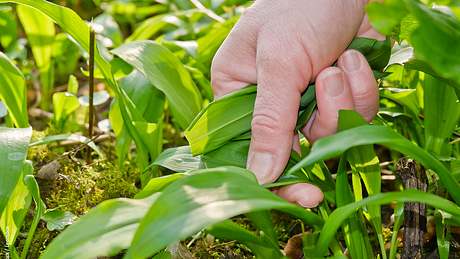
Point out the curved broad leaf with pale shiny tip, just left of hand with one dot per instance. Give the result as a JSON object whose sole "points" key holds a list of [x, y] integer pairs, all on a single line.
{"points": [[167, 73]]}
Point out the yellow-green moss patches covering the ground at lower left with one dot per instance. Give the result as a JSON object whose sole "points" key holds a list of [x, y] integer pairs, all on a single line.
{"points": [[77, 188]]}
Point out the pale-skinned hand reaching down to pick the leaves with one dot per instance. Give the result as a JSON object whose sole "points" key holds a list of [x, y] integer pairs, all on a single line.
{"points": [[282, 46]]}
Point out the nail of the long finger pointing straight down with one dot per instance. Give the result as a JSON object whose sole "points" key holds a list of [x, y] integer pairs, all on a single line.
{"points": [[262, 166]]}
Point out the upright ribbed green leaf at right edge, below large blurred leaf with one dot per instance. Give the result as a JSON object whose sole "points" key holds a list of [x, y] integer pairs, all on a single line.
{"points": [[442, 113]]}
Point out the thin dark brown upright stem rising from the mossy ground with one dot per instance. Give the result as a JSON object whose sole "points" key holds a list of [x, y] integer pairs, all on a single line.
{"points": [[92, 35]]}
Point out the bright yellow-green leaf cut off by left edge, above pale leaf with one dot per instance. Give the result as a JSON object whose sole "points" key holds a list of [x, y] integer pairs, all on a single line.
{"points": [[13, 92]]}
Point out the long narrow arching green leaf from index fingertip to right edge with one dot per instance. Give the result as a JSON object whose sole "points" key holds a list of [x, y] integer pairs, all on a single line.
{"points": [[339, 143]]}
